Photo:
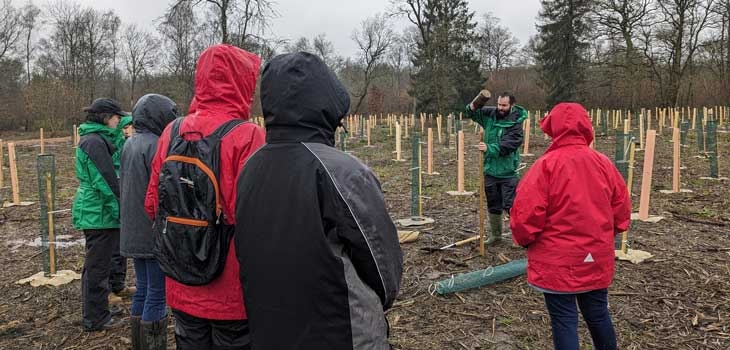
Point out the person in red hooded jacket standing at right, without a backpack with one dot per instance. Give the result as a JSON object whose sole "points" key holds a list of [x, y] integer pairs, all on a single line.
{"points": [[568, 208]]}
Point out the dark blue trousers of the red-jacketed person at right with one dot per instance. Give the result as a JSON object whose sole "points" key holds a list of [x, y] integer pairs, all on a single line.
{"points": [[564, 319]]}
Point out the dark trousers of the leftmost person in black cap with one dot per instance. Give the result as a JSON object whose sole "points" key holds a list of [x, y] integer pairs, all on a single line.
{"points": [[95, 275]]}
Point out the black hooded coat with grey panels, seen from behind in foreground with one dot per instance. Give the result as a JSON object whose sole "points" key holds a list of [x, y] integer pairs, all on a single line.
{"points": [[319, 254]]}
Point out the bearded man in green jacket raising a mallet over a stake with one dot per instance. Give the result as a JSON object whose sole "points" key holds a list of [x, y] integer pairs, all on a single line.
{"points": [[503, 137]]}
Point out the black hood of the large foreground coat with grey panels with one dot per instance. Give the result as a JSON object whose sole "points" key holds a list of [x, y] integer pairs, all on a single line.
{"points": [[302, 100]]}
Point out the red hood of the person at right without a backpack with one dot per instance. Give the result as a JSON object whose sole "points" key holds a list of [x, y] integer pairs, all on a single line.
{"points": [[568, 124]]}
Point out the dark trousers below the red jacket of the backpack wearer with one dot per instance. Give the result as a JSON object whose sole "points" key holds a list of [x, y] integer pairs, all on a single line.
{"points": [[194, 333]]}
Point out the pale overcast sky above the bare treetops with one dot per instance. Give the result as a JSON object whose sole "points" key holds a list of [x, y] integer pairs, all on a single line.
{"points": [[336, 18]]}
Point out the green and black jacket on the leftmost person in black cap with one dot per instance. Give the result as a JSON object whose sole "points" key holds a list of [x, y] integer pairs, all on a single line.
{"points": [[96, 204]]}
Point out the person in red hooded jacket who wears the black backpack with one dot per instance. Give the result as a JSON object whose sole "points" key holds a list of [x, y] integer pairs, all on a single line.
{"points": [[213, 316]]}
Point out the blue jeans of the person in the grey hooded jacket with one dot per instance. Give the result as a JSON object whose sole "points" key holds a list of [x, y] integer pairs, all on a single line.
{"points": [[149, 300]]}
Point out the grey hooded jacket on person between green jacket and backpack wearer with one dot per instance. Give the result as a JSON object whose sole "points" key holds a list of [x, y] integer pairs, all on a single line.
{"points": [[150, 116]]}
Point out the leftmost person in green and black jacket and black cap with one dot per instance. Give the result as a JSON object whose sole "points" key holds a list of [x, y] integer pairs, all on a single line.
{"points": [[96, 209]]}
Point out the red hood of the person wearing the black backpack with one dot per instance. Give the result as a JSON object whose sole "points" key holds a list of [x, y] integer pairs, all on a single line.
{"points": [[225, 82]]}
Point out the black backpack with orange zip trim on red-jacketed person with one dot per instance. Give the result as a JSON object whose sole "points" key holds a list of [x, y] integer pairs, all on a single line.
{"points": [[191, 239]]}
